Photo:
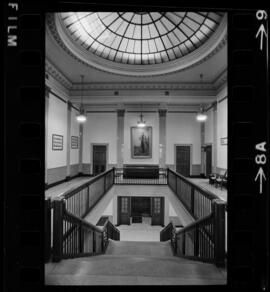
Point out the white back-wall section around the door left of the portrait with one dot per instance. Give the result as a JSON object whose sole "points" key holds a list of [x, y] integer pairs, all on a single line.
{"points": [[100, 128]]}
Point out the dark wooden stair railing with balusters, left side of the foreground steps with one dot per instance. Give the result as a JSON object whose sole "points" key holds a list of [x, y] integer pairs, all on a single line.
{"points": [[74, 237]]}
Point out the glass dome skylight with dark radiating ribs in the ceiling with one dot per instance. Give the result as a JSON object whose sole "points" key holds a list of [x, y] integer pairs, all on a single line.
{"points": [[140, 38]]}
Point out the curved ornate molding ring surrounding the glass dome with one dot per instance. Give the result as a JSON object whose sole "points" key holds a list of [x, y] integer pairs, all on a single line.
{"points": [[221, 40]]}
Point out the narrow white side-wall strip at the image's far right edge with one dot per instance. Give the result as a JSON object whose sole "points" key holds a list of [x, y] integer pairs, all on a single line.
{"points": [[222, 117]]}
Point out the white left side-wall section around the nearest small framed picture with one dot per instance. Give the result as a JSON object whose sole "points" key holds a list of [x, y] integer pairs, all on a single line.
{"points": [[57, 124]]}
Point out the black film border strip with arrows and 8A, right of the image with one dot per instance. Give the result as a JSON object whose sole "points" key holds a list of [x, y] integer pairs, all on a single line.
{"points": [[248, 128]]}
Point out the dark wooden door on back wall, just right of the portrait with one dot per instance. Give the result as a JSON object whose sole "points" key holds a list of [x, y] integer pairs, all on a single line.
{"points": [[183, 160]]}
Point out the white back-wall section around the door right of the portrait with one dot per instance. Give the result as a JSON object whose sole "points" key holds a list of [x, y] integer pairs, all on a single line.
{"points": [[182, 128]]}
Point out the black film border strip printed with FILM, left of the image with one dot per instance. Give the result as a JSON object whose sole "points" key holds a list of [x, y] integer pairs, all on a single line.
{"points": [[24, 111]]}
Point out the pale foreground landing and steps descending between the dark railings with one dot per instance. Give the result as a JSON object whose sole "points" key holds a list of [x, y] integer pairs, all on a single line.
{"points": [[134, 263]]}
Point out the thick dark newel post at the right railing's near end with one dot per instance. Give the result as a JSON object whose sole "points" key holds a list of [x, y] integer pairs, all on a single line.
{"points": [[219, 231]]}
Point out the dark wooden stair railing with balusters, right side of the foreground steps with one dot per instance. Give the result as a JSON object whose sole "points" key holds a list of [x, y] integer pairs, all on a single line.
{"points": [[202, 240]]}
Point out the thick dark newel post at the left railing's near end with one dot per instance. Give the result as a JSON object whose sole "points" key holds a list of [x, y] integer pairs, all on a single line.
{"points": [[58, 212]]}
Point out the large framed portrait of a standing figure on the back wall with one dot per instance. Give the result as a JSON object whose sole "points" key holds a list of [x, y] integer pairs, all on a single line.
{"points": [[141, 142]]}
